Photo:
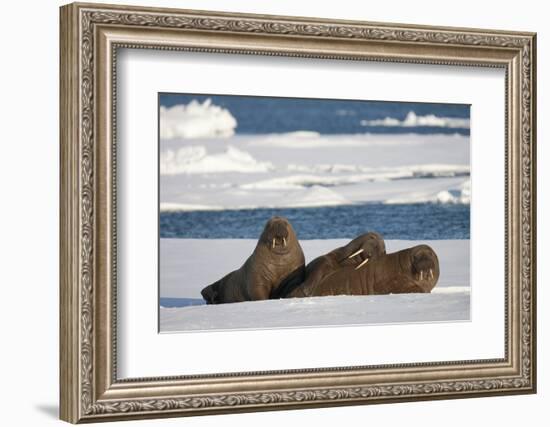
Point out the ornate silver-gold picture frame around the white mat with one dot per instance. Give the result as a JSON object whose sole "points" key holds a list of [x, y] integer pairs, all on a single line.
{"points": [[90, 36]]}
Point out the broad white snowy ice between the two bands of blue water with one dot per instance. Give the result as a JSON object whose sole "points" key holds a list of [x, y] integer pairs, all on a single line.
{"points": [[307, 169]]}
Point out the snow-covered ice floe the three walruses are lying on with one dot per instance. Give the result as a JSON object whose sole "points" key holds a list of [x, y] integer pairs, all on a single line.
{"points": [[188, 265]]}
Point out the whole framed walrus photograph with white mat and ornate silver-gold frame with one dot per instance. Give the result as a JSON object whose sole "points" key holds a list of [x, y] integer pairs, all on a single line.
{"points": [[265, 212]]}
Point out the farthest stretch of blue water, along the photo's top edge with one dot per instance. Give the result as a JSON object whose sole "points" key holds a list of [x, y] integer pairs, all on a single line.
{"points": [[260, 115]]}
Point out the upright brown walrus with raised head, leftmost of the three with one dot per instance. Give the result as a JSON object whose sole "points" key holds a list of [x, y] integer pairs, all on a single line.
{"points": [[277, 260]]}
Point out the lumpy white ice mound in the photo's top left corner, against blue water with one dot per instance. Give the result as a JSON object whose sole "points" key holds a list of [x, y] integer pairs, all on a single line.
{"points": [[196, 120]]}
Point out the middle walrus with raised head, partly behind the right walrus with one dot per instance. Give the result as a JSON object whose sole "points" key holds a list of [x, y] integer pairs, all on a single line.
{"points": [[363, 248]]}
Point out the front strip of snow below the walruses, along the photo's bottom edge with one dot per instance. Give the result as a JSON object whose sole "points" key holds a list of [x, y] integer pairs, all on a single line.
{"points": [[317, 311]]}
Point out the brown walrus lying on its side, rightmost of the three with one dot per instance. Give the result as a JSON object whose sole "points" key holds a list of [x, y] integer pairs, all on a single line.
{"points": [[412, 270]]}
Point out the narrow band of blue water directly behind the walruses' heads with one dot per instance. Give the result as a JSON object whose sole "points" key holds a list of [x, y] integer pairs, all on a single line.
{"points": [[420, 221]]}
